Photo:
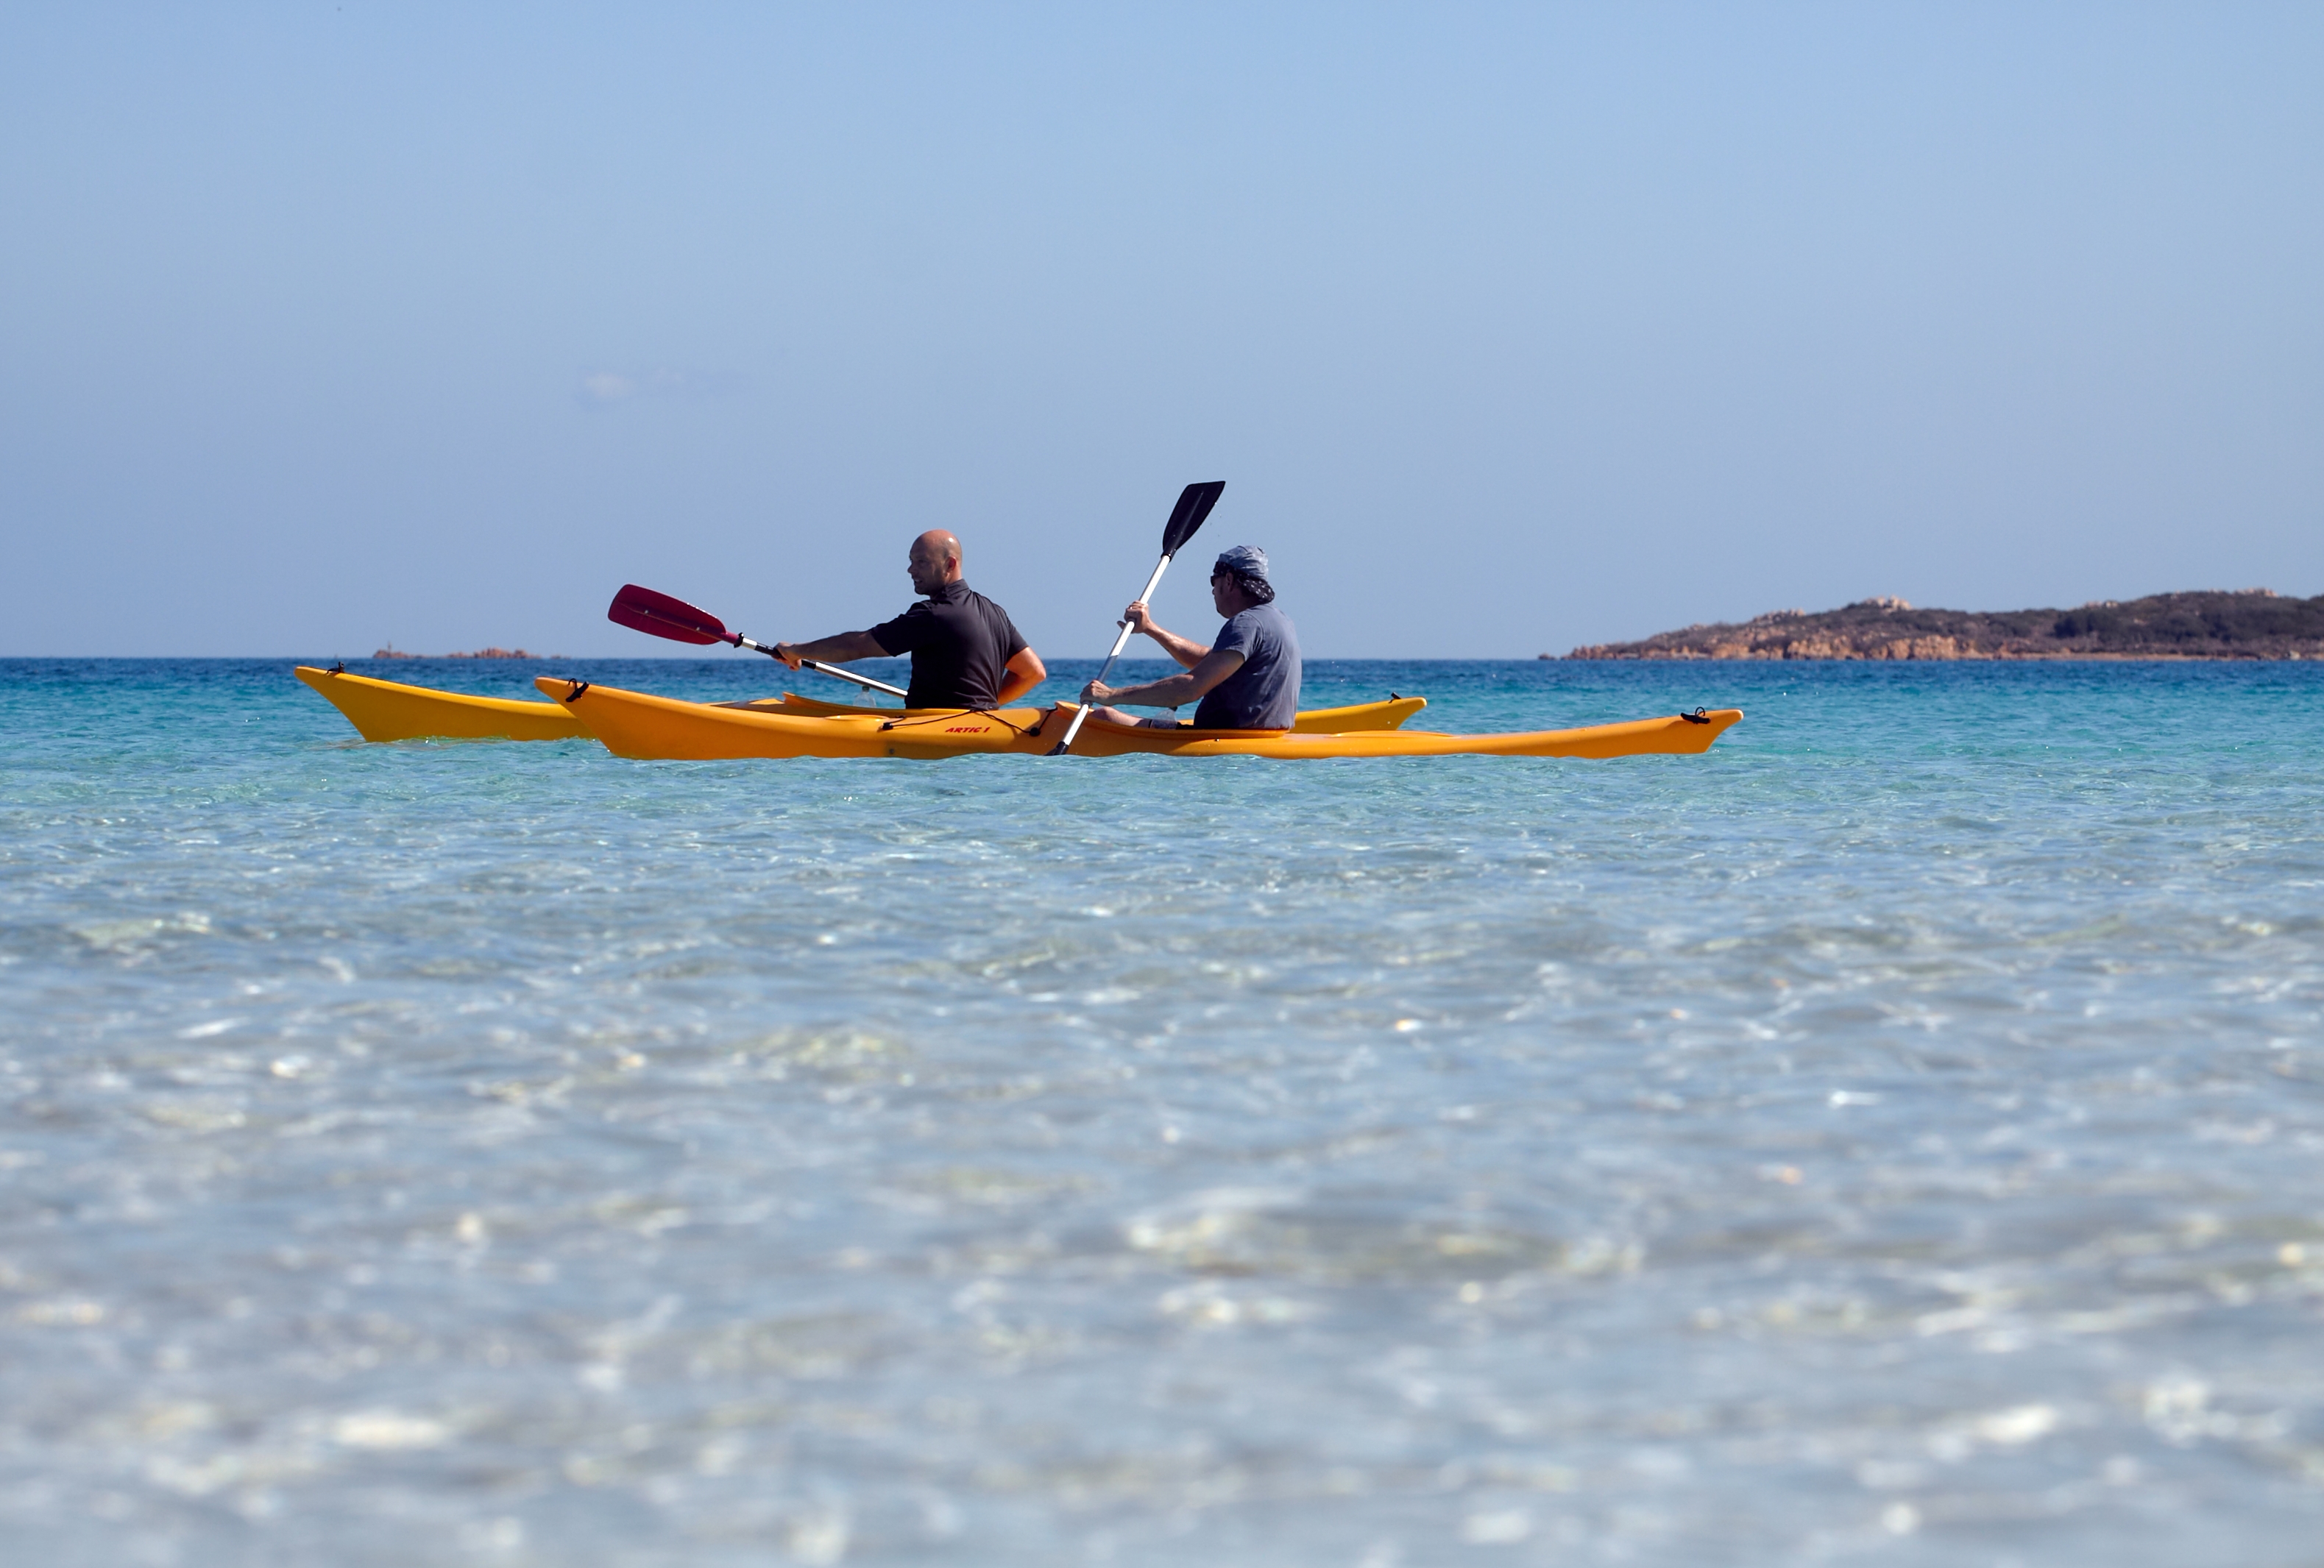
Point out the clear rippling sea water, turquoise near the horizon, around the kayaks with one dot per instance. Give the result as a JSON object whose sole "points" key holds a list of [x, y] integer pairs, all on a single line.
{"points": [[1893, 1137]]}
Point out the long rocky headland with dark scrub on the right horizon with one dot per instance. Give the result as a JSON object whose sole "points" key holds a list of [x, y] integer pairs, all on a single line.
{"points": [[2253, 624]]}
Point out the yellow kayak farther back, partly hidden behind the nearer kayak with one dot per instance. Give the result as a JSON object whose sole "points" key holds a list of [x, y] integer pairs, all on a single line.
{"points": [[396, 712]]}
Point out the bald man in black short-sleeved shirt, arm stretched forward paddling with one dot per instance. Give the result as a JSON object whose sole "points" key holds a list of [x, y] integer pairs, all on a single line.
{"points": [[966, 652]]}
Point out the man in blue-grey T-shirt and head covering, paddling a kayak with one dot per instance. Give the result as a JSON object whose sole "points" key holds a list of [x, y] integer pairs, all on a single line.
{"points": [[1249, 679]]}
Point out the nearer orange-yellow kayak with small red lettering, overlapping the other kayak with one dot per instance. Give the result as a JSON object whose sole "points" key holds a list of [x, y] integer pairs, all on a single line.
{"points": [[640, 726]]}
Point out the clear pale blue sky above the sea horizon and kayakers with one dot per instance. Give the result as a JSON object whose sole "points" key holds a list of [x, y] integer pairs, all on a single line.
{"points": [[1509, 329]]}
